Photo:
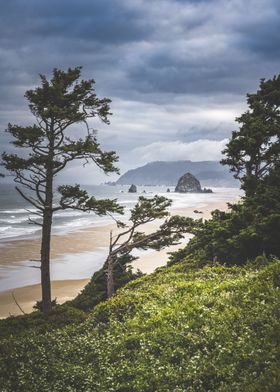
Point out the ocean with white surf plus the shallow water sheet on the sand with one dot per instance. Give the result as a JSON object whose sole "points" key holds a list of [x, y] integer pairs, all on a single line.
{"points": [[14, 225]]}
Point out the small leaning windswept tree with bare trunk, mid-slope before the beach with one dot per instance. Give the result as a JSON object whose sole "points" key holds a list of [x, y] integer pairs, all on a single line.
{"points": [[146, 210]]}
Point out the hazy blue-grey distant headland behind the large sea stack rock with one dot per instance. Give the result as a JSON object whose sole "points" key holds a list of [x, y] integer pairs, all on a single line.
{"points": [[209, 173]]}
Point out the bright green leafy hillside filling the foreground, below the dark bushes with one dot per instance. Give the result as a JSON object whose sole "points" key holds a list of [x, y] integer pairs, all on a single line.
{"points": [[179, 329]]}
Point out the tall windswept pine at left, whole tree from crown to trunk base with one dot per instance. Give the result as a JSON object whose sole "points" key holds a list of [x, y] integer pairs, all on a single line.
{"points": [[60, 105]]}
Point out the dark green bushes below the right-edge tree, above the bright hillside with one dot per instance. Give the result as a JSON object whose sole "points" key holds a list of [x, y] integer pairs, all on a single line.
{"points": [[250, 228]]}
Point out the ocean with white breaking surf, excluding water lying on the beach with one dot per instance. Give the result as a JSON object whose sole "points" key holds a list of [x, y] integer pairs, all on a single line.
{"points": [[15, 211]]}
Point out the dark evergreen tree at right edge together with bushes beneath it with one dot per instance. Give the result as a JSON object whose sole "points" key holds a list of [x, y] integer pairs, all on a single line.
{"points": [[251, 227]]}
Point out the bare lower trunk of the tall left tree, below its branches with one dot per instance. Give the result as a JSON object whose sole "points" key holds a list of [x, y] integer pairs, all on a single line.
{"points": [[45, 262]]}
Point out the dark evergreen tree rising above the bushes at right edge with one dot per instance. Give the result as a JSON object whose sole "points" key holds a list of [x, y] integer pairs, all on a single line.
{"points": [[254, 150]]}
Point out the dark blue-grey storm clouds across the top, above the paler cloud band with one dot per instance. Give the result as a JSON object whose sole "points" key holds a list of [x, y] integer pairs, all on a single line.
{"points": [[185, 47]]}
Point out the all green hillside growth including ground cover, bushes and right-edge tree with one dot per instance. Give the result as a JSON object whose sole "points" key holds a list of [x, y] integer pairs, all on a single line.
{"points": [[210, 321]]}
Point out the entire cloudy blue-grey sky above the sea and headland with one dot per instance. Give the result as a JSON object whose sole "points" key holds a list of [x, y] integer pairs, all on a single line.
{"points": [[177, 71]]}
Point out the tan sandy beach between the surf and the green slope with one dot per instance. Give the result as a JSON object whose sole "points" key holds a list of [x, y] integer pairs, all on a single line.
{"points": [[86, 240]]}
